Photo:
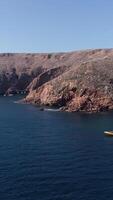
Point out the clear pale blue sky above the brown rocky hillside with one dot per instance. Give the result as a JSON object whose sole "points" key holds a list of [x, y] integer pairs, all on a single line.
{"points": [[55, 25]]}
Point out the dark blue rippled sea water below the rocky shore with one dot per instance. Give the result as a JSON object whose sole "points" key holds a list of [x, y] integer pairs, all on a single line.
{"points": [[48, 155]]}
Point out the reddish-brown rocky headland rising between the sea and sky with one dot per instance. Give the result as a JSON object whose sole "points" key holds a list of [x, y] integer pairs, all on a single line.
{"points": [[74, 81]]}
